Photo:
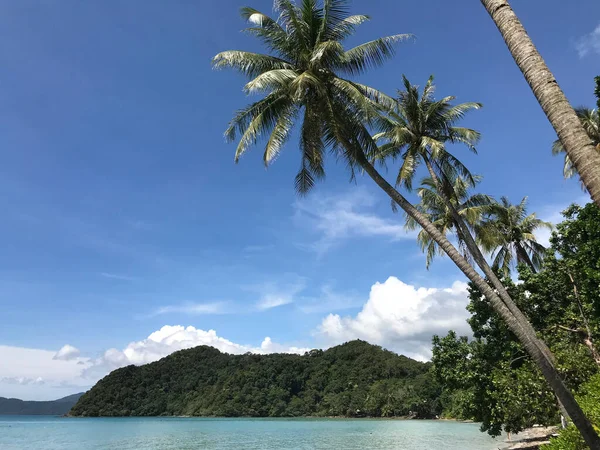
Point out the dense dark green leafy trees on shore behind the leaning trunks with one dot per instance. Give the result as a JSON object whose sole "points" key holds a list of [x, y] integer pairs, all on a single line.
{"points": [[491, 379]]}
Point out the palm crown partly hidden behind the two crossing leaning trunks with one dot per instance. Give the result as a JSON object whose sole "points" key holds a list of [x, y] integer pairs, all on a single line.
{"points": [[434, 206]]}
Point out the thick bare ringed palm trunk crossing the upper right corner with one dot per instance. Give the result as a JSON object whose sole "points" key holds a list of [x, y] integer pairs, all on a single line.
{"points": [[551, 98]]}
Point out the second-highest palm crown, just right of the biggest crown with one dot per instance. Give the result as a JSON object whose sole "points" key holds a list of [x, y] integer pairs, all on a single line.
{"points": [[419, 128]]}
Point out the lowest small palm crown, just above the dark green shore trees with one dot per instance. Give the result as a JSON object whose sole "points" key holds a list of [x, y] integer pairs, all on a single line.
{"points": [[508, 234]]}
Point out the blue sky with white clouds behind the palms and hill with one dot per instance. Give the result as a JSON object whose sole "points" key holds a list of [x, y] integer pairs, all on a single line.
{"points": [[128, 232]]}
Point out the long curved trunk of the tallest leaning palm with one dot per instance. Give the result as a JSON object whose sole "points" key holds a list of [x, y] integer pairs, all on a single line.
{"points": [[528, 339]]}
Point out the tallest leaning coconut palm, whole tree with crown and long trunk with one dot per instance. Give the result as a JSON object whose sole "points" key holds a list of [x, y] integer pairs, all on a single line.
{"points": [[301, 76]]}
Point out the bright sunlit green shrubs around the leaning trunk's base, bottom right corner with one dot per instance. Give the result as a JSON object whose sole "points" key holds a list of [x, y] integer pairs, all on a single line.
{"points": [[589, 399]]}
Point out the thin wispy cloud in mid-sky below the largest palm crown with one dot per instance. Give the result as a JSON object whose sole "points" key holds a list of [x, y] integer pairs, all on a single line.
{"points": [[337, 218]]}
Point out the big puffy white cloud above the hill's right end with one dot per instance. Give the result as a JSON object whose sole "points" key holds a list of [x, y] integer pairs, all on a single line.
{"points": [[402, 318]]}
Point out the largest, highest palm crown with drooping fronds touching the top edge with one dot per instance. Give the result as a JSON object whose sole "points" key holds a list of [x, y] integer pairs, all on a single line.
{"points": [[302, 76]]}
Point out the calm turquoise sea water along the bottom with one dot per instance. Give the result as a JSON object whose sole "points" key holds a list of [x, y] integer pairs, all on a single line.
{"points": [[53, 433]]}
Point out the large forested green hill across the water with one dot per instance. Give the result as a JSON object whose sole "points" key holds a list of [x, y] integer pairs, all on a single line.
{"points": [[352, 379]]}
